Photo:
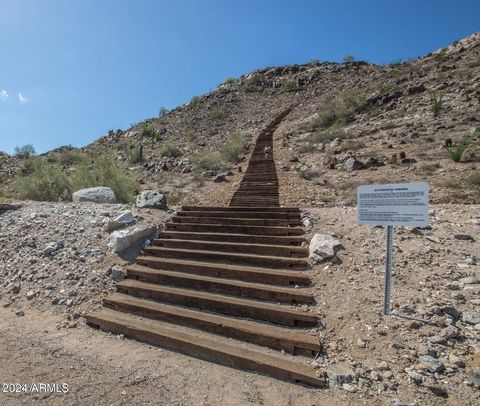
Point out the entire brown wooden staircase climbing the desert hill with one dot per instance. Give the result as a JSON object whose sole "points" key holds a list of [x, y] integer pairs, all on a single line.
{"points": [[223, 283]]}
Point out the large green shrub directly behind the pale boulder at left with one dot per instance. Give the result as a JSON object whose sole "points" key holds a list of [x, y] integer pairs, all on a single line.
{"points": [[104, 170]]}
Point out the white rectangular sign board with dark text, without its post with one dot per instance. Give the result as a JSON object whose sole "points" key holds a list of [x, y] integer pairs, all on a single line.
{"points": [[402, 204]]}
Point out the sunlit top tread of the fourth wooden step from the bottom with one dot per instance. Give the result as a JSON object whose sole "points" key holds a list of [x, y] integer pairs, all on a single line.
{"points": [[233, 282]]}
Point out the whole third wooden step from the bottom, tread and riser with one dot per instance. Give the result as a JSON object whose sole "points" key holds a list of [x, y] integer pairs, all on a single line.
{"points": [[233, 306]]}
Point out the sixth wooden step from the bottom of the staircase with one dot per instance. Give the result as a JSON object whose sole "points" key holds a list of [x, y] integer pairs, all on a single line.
{"points": [[229, 258]]}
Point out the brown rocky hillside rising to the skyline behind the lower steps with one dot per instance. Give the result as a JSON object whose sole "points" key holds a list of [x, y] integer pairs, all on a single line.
{"points": [[390, 128]]}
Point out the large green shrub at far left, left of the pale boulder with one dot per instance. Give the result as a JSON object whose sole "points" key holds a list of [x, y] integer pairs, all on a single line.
{"points": [[45, 182]]}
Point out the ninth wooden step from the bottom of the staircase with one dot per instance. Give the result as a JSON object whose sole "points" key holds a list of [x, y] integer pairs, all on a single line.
{"points": [[222, 228]]}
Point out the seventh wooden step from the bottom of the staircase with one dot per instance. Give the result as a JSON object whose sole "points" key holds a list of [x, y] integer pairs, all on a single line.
{"points": [[245, 248]]}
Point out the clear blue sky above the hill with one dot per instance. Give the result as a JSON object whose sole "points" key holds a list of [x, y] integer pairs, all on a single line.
{"points": [[70, 70]]}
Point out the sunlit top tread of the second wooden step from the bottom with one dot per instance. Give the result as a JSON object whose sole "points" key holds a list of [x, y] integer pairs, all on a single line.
{"points": [[250, 326]]}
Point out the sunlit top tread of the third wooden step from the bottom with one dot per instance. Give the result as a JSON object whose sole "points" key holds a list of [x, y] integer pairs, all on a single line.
{"points": [[130, 283]]}
